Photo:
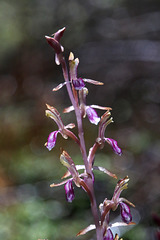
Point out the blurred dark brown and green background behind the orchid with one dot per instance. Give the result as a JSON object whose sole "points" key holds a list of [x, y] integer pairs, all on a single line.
{"points": [[117, 42]]}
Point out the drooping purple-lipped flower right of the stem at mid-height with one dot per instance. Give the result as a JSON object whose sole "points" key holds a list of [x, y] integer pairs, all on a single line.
{"points": [[104, 122]]}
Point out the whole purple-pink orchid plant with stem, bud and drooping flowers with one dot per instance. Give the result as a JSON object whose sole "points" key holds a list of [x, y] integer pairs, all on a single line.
{"points": [[77, 91]]}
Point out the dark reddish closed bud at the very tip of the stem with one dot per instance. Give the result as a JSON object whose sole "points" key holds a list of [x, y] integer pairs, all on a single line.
{"points": [[54, 42]]}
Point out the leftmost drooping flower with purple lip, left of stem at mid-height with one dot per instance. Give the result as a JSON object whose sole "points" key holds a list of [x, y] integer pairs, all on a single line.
{"points": [[63, 130]]}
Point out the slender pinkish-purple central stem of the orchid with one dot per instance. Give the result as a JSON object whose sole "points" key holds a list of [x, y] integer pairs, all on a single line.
{"points": [[83, 148]]}
